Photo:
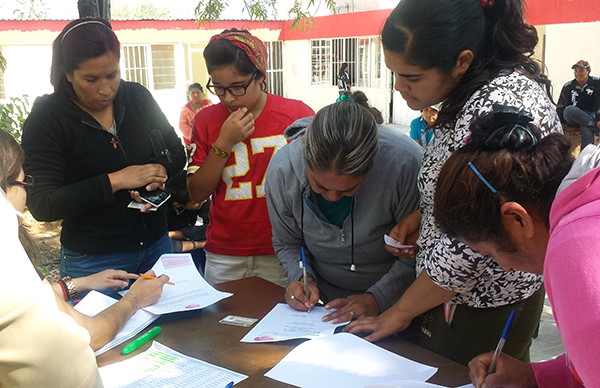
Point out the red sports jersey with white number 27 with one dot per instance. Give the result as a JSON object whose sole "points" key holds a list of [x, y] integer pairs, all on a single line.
{"points": [[239, 220]]}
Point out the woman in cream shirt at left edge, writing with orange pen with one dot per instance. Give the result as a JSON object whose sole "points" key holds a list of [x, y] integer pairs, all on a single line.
{"points": [[34, 327]]}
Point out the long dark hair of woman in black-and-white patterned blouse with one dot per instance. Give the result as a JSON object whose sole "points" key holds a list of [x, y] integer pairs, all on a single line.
{"points": [[432, 33]]}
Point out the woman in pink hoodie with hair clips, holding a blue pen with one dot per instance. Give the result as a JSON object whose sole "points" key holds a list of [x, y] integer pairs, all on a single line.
{"points": [[524, 227]]}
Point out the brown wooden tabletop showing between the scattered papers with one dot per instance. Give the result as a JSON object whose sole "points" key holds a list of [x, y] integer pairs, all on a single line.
{"points": [[203, 337]]}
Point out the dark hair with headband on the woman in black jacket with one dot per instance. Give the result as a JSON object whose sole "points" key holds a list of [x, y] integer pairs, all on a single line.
{"points": [[80, 40]]}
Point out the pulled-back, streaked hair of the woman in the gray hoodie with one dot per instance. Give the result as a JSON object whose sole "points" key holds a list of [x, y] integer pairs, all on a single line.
{"points": [[342, 138]]}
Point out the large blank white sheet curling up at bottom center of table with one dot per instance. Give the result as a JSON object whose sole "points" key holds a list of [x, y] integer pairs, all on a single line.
{"points": [[345, 360]]}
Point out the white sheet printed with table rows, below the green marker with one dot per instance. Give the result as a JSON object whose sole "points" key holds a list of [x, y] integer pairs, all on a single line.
{"points": [[160, 366]]}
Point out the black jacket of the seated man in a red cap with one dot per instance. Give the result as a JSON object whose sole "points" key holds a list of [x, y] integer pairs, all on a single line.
{"points": [[586, 98]]}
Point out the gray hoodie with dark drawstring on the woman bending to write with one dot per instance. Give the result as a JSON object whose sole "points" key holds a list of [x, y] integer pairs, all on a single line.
{"points": [[388, 194]]}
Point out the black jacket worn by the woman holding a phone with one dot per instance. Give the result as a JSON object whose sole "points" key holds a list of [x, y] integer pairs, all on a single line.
{"points": [[70, 156]]}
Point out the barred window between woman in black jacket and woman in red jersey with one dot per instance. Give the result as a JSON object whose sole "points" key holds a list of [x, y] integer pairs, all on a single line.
{"points": [[150, 65]]}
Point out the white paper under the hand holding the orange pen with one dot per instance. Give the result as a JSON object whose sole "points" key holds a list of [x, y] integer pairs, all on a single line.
{"points": [[189, 292]]}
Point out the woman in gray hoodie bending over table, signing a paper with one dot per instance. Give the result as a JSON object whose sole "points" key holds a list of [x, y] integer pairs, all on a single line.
{"points": [[336, 190]]}
